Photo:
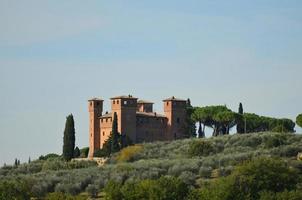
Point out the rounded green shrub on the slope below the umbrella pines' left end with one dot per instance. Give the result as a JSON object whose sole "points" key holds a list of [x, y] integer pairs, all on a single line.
{"points": [[200, 148]]}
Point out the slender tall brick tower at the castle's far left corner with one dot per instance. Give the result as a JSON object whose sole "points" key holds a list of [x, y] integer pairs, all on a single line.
{"points": [[95, 107]]}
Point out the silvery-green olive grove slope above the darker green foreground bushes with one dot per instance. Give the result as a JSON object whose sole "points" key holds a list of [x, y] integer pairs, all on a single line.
{"points": [[193, 161]]}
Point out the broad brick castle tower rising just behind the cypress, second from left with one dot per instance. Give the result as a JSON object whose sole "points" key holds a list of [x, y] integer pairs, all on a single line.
{"points": [[125, 108]]}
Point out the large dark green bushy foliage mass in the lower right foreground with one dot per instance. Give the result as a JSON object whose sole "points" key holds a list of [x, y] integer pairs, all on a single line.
{"points": [[249, 179]]}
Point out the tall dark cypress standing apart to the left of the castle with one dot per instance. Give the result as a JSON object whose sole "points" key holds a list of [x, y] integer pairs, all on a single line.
{"points": [[69, 138]]}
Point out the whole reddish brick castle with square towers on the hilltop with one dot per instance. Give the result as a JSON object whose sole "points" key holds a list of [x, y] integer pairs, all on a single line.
{"points": [[136, 120]]}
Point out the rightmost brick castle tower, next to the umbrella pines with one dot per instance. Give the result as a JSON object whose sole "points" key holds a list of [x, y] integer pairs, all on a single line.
{"points": [[175, 111]]}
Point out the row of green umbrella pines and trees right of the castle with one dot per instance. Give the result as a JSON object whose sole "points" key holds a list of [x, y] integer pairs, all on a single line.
{"points": [[221, 119]]}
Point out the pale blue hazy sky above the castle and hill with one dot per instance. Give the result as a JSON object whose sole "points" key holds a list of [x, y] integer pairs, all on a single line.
{"points": [[55, 55]]}
